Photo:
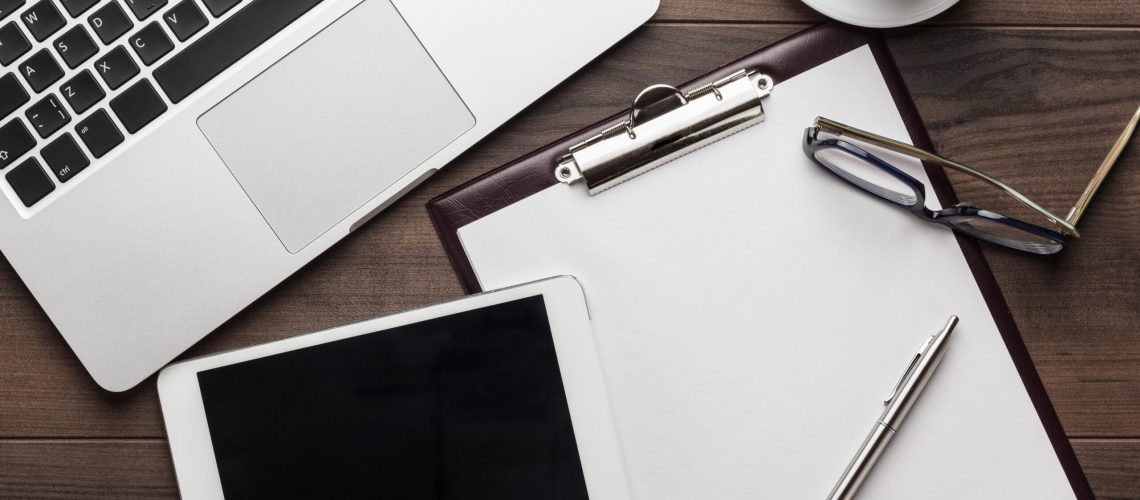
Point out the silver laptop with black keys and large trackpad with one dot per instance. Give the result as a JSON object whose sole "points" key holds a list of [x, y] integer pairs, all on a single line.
{"points": [[166, 163]]}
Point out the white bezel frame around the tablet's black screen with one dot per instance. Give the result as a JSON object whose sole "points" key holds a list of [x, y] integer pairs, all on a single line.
{"points": [[582, 378]]}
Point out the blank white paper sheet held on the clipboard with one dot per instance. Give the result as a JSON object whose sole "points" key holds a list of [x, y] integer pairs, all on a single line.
{"points": [[752, 313]]}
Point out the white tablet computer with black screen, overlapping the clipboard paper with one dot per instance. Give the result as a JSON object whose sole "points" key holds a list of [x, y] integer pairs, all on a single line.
{"points": [[499, 396]]}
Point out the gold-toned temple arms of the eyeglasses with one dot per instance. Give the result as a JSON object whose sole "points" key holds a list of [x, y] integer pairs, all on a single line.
{"points": [[1065, 226]]}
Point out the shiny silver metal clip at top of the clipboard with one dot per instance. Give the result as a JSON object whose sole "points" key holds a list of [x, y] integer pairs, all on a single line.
{"points": [[665, 125]]}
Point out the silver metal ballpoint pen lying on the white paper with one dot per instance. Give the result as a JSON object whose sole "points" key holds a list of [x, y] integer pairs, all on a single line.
{"points": [[899, 404]]}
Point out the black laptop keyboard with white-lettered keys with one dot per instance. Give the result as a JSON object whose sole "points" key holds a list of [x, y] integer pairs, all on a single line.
{"points": [[82, 76]]}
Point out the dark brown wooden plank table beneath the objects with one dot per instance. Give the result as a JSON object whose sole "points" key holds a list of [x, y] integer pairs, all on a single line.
{"points": [[1033, 91]]}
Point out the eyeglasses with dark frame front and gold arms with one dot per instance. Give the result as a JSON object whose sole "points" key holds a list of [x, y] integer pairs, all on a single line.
{"points": [[877, 177]]}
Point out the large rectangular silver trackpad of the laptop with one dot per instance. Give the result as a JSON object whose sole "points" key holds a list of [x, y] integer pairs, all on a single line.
{"points": [[336, 122]]}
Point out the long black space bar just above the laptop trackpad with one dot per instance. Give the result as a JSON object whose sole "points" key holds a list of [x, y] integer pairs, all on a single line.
{"points": [[229, 43]]}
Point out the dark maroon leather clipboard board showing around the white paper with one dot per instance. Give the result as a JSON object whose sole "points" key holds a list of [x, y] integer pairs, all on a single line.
{"points": [[783, 61]]}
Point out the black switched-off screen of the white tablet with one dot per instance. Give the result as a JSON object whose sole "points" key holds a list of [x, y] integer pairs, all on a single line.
{"points": [[463, 407]]}
